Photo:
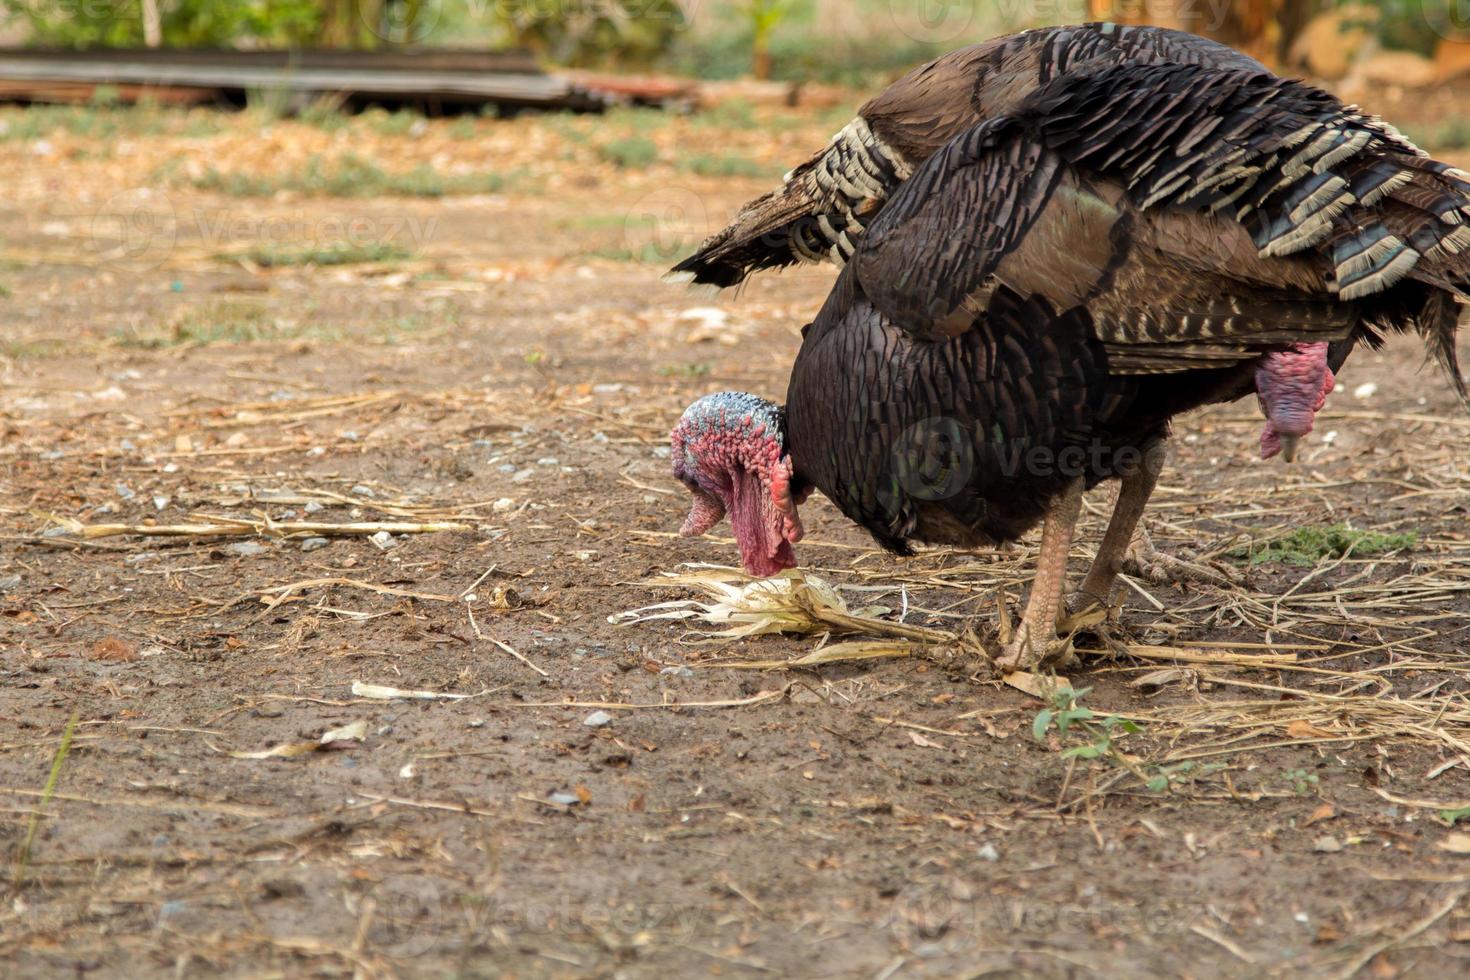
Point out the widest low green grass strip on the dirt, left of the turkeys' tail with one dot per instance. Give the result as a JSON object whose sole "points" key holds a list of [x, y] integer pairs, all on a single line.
{"points": [[351, 177]]}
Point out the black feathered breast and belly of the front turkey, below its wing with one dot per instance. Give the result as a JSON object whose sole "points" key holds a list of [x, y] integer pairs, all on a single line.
{"points": [[967, 442]]}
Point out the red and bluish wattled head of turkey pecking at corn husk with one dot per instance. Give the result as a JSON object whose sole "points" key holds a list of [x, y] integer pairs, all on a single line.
{"points": [[730, 450]]}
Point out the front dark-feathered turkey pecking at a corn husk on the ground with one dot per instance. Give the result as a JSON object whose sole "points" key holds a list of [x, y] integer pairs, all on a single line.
{"points": [[1049, 290]]}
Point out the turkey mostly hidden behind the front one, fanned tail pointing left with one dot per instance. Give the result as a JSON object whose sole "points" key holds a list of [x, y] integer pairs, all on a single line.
{"points": [[825, 205]]}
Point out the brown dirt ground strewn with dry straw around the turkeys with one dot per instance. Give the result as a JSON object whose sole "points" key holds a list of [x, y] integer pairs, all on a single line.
{"points": [[514, 370]]}
